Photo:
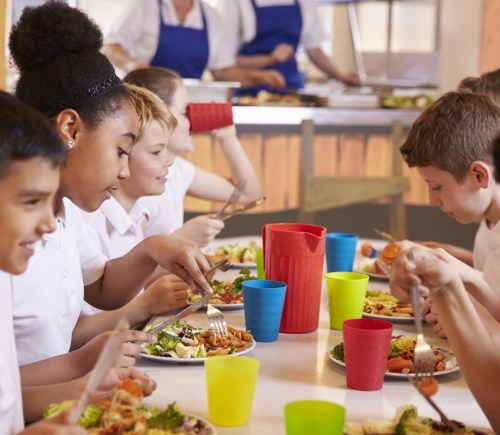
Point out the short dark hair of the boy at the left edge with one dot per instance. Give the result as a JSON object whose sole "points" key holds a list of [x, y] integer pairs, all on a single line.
{"points": [[26, 134]]}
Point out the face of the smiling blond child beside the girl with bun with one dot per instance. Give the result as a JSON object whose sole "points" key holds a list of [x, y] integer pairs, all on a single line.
{"points": [[148, 162]]}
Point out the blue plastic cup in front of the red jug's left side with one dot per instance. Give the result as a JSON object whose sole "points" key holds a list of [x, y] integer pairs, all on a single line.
{"points": [[263, 303]]}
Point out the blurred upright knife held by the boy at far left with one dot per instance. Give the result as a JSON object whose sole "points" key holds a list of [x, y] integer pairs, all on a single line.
{"points": [[104, 363]]}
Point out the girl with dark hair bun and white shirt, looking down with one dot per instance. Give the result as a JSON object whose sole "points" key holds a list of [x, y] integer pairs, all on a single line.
{"points": [[70, 81]]}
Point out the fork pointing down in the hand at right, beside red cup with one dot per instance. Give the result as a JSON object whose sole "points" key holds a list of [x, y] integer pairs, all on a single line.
{"points": [[423, 358]]}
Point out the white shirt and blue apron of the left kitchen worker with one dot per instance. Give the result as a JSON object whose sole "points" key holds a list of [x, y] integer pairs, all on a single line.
{"points": [[150, 32]]}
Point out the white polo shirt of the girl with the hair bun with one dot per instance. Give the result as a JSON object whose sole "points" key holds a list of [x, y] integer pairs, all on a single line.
{"points": [[48, 297]]}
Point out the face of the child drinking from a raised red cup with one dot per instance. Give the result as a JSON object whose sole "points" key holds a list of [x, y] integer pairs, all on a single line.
{"points": [[181, 141]]}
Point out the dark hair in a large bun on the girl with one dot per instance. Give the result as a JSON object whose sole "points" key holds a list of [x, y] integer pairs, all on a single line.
{"points": [[56, 50]]}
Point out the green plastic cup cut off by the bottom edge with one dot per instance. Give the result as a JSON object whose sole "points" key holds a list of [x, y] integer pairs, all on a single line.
{"points": [[314, 417]]}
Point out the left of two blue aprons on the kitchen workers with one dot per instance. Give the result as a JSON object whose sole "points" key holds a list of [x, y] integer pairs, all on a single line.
{"points": [[183, 49]]}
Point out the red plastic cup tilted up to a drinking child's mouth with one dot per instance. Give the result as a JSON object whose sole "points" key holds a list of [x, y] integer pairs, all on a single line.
{"points": [[209, 116]]}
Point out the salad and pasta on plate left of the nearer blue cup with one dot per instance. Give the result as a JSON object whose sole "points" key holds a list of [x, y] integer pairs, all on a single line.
{"points": [[182, 340]]}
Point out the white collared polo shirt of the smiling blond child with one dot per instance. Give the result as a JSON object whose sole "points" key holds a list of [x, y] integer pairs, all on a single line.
{"points": [[116, 231]]}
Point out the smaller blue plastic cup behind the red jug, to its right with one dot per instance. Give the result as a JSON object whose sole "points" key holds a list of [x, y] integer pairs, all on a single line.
{"points": [[340, 250]]}
